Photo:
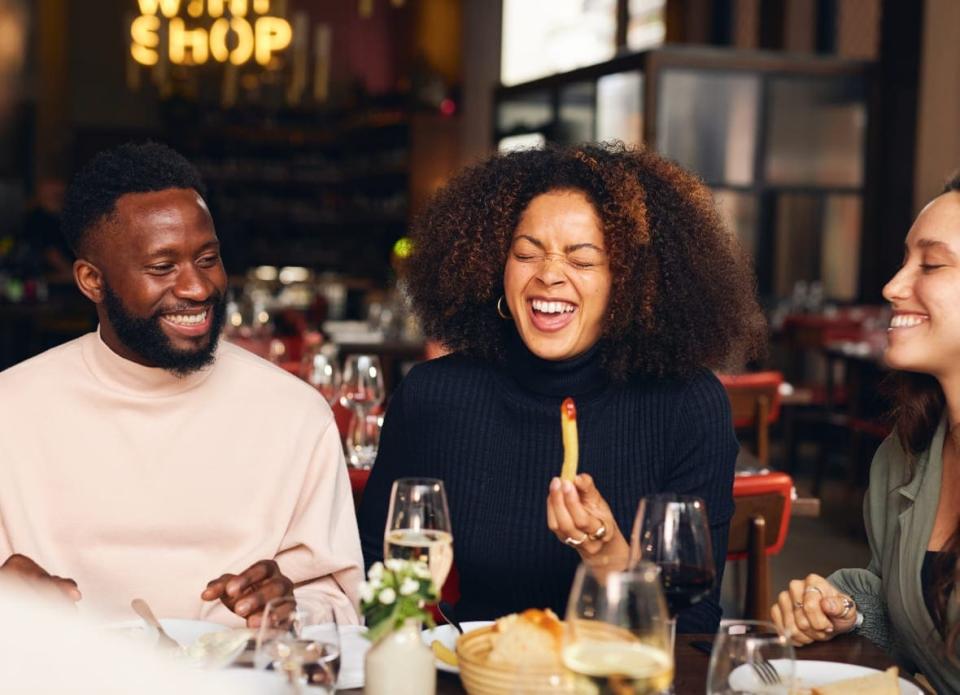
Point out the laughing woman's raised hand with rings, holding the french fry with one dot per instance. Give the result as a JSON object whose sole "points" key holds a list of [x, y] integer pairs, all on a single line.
{"points": [[580, 517]]}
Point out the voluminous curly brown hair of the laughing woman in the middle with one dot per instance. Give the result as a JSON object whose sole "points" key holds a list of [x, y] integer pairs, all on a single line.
{"points": [[683, 293]]}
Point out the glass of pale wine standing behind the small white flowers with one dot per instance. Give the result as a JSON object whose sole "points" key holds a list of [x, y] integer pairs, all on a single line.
{"points": [[418, 526]]}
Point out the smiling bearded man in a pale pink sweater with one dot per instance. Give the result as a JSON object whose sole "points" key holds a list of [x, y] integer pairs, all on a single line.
{"points": [[149, 460]]}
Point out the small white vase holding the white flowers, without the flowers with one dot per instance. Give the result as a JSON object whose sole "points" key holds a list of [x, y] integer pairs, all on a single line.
{"points": [[399, 663]]}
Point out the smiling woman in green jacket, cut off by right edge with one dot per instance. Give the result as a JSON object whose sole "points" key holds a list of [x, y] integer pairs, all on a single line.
{"points": [[906, 598]]}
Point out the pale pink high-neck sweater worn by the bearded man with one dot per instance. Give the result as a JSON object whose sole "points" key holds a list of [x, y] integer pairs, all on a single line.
{"points": [[137, 483]]}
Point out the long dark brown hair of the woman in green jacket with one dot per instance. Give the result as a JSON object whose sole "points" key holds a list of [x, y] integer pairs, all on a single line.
{"points": [[919, 403]]}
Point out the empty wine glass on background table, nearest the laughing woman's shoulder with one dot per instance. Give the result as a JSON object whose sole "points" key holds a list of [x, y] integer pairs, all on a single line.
{"points": [[361, 391]]}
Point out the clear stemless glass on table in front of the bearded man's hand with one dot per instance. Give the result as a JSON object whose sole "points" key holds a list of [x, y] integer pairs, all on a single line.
{"points": [[302, 643]]}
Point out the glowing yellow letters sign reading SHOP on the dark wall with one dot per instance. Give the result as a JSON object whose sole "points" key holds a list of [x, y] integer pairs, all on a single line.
{"points": [[241, 30]]}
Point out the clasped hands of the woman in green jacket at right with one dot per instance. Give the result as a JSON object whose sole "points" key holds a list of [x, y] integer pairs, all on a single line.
{"points": [[813, 610]]}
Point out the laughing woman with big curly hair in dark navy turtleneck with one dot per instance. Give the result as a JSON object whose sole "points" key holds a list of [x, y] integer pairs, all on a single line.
{"points": [[595, 272]]}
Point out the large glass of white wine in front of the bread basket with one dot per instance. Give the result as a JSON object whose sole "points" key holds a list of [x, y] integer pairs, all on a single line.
{"points": [[617, 638]]}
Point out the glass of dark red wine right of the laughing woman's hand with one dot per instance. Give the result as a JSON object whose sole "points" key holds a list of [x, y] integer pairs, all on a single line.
{"points": [[673, 532]]}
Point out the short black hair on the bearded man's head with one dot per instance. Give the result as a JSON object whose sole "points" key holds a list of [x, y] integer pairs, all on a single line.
{"points": [[130, 168]]}
